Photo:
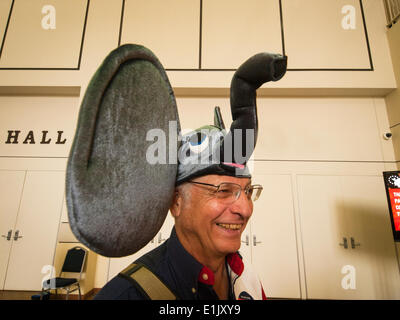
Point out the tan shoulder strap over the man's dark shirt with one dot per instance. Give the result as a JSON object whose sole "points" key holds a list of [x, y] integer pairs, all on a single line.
{"points": [[148, 282]]}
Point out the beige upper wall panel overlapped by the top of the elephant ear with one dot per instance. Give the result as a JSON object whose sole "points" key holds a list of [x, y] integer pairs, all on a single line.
{"points": [[169, 28]]}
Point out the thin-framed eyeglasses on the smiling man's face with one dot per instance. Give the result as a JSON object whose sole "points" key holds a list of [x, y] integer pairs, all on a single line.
{"points": [[230, 192]]}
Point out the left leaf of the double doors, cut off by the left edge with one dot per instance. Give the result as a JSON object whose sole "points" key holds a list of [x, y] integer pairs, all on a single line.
{"points": [[11, 185]]}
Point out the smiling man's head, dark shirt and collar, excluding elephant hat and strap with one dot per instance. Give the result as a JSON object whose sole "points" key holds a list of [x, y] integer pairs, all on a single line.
{"points": [[200, 260]]}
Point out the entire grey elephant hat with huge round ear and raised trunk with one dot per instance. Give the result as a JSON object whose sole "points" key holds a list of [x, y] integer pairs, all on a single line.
{"points": [[117, 199]]}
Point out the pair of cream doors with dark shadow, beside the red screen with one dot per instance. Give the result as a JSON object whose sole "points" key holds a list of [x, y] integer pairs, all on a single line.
{"points": [[333, 208]]}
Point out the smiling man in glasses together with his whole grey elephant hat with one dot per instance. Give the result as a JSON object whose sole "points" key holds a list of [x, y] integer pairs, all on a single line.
{"points": [[208, 191]]}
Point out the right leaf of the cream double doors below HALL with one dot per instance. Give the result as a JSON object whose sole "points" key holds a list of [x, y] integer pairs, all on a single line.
{"points": [[37, 225]]}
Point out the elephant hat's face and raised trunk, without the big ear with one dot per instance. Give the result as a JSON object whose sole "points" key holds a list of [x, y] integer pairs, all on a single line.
{"points": [[213, 150]]}
